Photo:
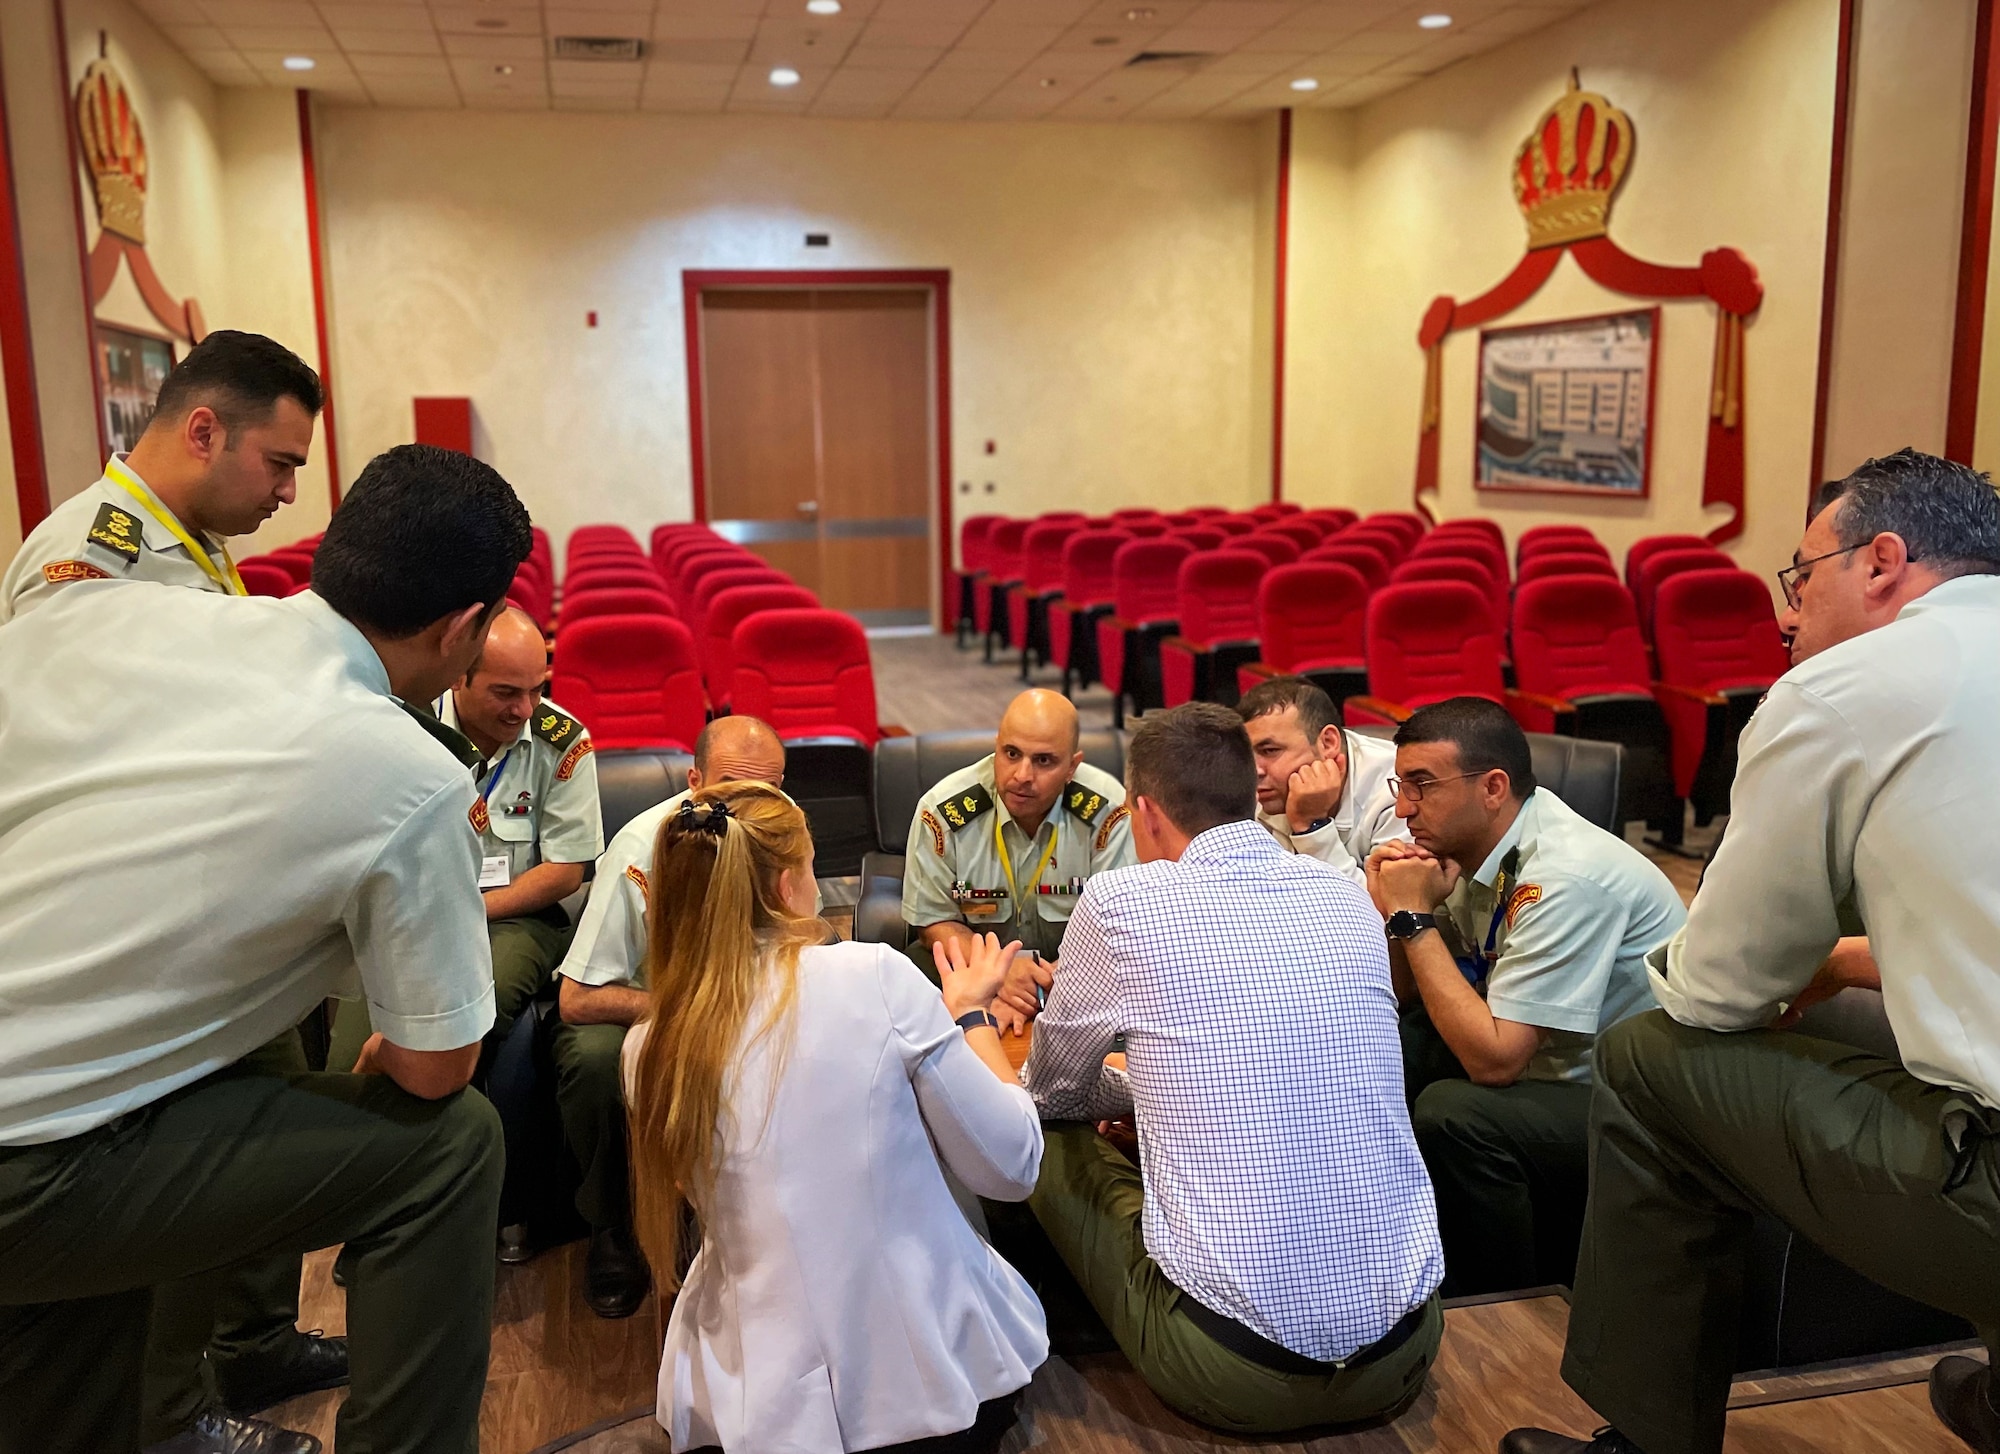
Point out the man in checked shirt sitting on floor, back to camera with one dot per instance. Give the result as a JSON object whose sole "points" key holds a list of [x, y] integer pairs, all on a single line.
{"points": [[1273, 1263]]}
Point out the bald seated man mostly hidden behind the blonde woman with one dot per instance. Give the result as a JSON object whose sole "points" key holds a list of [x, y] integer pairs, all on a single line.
{"points": [[605, 991]]}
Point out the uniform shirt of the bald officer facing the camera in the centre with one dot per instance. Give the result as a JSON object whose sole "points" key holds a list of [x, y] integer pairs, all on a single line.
{"points": [[955, 869]]}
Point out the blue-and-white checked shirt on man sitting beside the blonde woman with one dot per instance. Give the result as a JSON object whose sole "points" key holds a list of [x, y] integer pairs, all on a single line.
{"points": [[1265, 1073]]}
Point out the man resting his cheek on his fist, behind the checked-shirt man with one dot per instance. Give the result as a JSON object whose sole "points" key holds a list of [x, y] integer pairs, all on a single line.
{"points": [[1321, 791]]}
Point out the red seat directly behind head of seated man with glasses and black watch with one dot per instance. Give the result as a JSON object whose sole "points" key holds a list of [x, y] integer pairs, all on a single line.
{"points": [[1427, 643]]}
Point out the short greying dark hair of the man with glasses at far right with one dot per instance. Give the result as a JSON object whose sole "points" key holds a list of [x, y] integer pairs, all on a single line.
{"points": [[1947, 513]]}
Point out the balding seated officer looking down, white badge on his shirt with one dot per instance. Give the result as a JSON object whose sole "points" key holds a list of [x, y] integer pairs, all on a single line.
{"points": [[539, 819]]}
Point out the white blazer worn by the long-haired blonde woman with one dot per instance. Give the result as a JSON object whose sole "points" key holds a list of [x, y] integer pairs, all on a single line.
{"points": [[841, 1301]]}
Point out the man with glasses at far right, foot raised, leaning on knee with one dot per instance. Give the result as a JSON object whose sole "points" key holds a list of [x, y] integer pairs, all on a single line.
{"points": [[1871, 775]]}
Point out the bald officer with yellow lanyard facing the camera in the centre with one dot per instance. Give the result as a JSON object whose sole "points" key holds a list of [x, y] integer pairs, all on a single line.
{"points": [[1007, 845]]}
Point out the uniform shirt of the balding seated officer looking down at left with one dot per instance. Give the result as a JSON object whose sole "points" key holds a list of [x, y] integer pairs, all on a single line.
{"points": [[541, 797]]}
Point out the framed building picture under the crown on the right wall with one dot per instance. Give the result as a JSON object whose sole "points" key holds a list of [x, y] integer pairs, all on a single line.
{"points": [[1567, 407]]}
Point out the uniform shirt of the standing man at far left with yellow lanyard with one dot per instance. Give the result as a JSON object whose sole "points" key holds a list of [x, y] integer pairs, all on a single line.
{"points": [[105, 533]]}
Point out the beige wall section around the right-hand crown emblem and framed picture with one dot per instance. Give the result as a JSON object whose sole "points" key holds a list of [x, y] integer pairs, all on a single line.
{"points": [[1409, 199]]}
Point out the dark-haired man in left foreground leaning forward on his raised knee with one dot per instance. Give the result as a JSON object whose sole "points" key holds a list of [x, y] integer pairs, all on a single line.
{"points": [[299, 831]]}
